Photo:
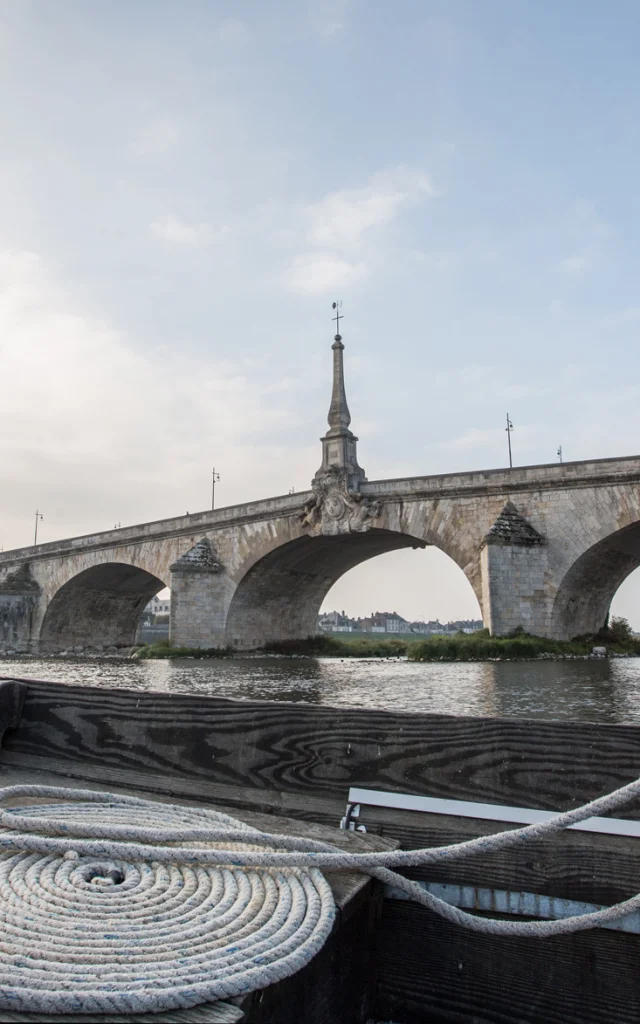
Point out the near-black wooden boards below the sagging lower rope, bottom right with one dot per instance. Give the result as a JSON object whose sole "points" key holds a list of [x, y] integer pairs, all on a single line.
{"points": [[433, 971]]}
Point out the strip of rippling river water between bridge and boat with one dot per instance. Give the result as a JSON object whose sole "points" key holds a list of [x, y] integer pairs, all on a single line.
{"points": [[594, 691]]}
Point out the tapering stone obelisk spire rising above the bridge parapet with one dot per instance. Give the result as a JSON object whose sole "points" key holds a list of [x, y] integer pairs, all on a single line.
{"points": [[339, 445]]}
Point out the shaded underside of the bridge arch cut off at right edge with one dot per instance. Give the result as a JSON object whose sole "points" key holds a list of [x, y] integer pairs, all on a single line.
{"points": [[585, 594]]}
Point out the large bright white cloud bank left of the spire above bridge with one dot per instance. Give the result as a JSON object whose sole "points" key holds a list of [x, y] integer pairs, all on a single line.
{"points": [[100, 431]]}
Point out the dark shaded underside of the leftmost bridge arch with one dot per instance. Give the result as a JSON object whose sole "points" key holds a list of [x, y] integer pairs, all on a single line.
{"points": [[102, 605]]}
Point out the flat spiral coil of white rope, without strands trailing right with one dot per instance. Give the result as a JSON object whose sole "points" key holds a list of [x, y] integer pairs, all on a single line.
{"points": [[101, 933]]}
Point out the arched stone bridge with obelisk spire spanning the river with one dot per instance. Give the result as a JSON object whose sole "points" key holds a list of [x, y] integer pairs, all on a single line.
{"points": [[544, 548]]}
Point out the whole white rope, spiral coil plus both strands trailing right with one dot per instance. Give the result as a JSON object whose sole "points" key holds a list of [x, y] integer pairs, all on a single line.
{"points": [[102, 912]]}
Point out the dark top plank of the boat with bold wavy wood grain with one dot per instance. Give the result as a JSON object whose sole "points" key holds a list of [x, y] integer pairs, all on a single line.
{"points": [[320, 752]]}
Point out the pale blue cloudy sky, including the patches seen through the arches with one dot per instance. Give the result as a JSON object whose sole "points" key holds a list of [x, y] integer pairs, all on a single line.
{"points": [[185, 190]]}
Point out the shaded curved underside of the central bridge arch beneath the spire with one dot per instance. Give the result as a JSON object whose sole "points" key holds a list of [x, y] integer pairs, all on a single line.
{"points": [[280, 595]]}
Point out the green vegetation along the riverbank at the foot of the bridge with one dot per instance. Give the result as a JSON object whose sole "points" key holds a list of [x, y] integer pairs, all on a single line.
{"points": [[617, 639]]}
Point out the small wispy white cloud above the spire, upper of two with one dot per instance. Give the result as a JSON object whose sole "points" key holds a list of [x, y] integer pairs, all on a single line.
{"points": [[344, 217]]}
